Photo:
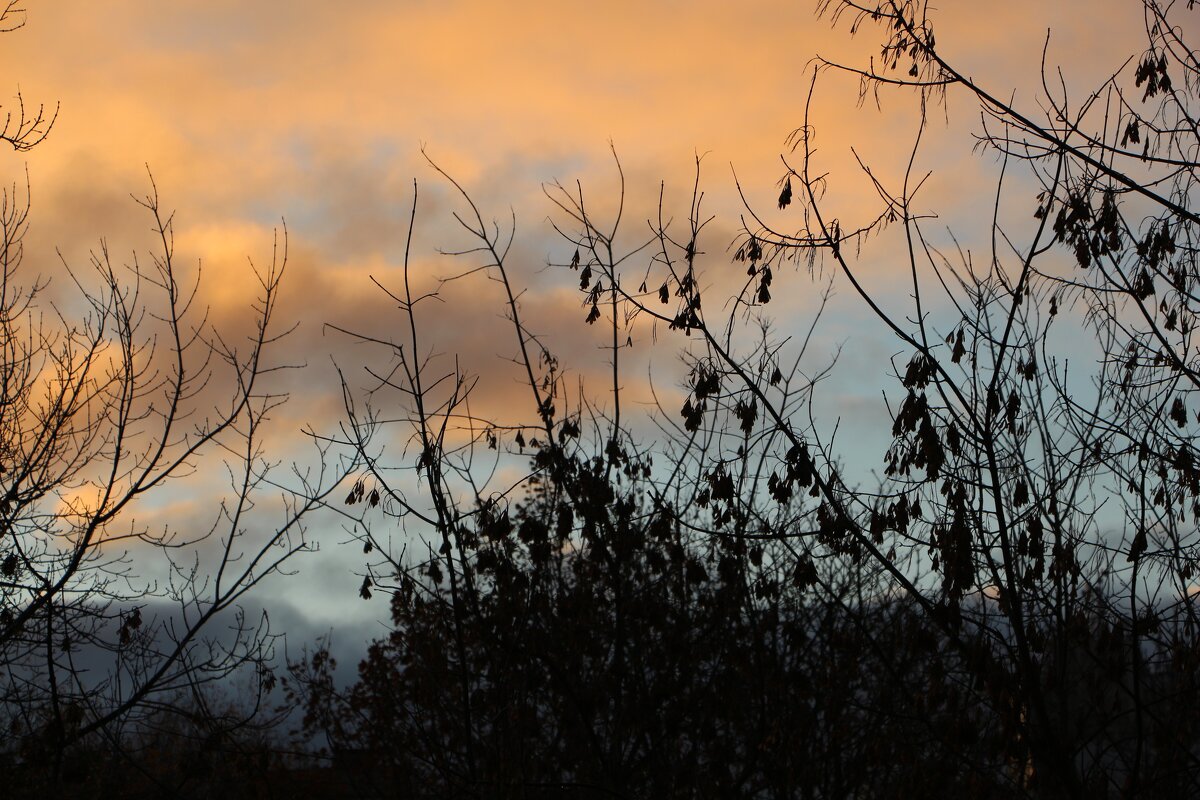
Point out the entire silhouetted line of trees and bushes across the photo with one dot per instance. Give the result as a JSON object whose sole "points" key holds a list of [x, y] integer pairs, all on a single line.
{"points": [[583, 610]]}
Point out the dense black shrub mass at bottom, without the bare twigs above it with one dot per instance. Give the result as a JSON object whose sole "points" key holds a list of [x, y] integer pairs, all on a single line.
{"points": [[609, 651]]}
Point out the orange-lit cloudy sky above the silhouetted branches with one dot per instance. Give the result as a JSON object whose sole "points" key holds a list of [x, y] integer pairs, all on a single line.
{"points": [[251, 116]]}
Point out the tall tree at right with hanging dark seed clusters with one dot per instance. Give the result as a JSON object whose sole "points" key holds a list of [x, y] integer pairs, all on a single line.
{"points": [[1058, 509]]}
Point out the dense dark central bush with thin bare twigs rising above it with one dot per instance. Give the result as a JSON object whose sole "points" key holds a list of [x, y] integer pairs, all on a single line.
{"points": [[626, 618]]}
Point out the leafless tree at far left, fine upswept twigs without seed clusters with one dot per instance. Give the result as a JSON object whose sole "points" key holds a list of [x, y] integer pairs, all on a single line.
{"points": [[116, 396]]}
